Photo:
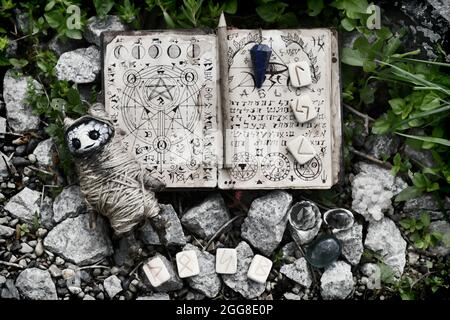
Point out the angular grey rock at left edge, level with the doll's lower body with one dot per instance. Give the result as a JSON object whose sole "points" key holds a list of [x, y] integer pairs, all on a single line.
{"points": [[24, 205]]}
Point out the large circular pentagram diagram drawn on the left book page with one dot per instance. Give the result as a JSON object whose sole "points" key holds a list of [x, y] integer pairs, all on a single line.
{"points": [[156, 103]]}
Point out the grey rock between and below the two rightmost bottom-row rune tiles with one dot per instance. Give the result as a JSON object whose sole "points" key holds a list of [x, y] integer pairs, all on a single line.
{"points": [[239, 282]]}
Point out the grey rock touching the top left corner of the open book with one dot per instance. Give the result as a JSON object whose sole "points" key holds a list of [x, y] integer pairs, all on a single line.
{"points": [[95, 26]]}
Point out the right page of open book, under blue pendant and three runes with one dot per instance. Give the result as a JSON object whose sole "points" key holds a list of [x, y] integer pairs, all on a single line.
{"points": [[259, 123]]}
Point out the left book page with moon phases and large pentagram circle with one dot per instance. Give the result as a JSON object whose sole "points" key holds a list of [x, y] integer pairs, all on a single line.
{"points": [[160, 90]]}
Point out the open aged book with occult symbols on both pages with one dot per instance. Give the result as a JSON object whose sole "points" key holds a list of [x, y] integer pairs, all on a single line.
{"points": [[188, 107]]}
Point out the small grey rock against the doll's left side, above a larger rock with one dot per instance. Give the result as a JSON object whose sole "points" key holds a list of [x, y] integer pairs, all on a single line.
{"points": [[69, 203]]}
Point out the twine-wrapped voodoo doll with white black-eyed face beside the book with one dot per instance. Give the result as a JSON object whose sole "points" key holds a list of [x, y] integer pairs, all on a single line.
{"points": [[113, 182]]}
